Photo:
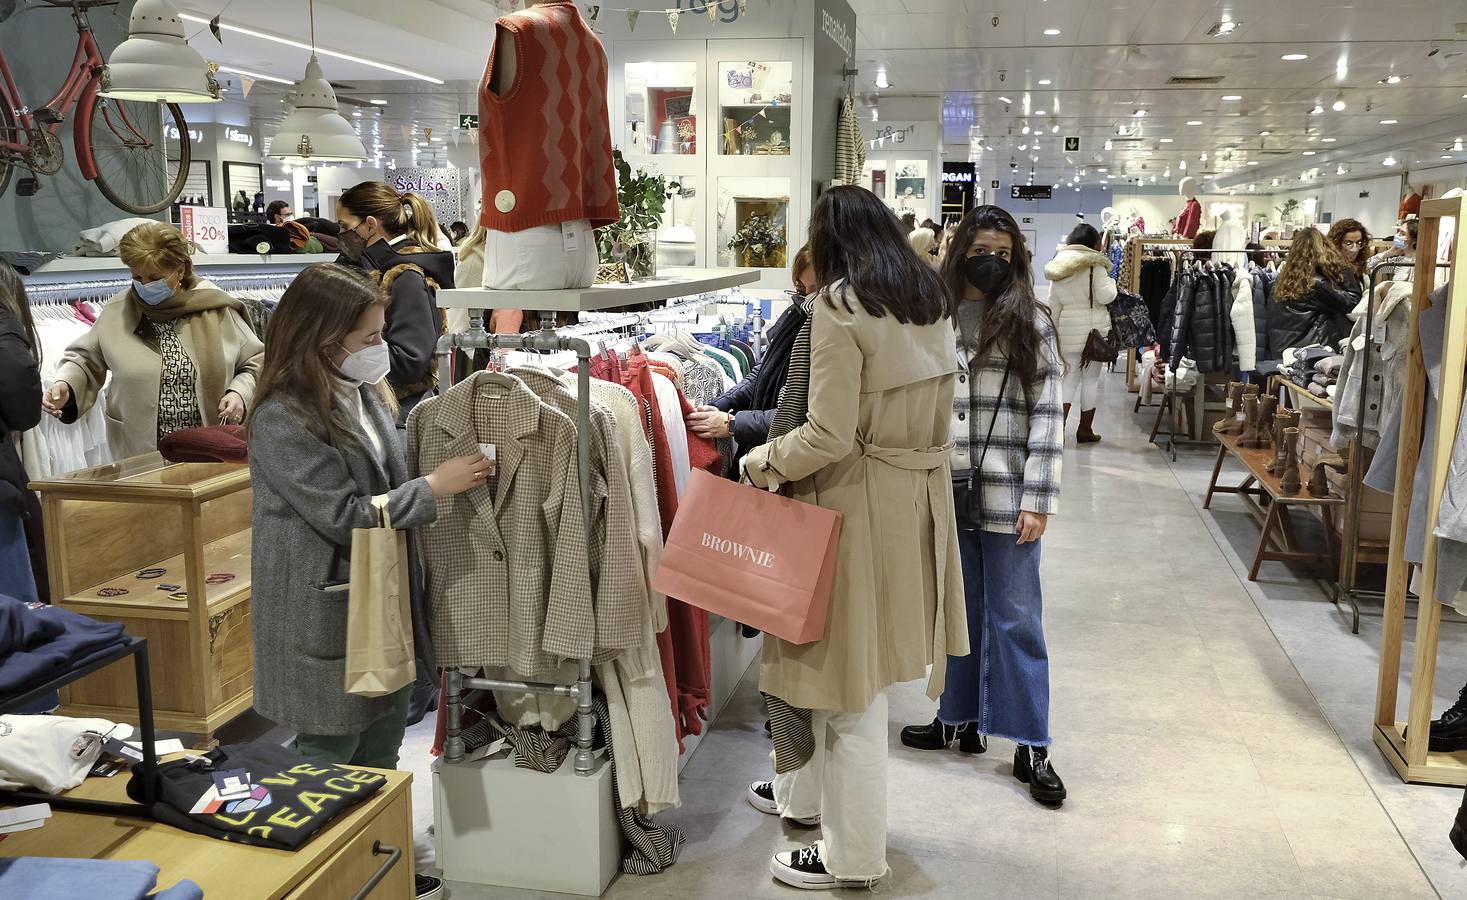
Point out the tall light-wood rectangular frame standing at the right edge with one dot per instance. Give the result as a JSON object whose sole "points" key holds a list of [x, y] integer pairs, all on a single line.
{"points": [[1405, 745]]}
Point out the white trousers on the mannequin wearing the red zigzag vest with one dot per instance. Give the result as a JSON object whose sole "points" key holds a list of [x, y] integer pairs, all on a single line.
{"points": [[538, 259]]}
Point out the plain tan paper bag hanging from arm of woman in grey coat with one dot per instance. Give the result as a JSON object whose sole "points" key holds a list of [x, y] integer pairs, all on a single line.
{"points": [[379, 619]]}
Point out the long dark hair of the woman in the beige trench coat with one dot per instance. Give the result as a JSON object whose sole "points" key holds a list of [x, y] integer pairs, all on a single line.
{"points": [[859, 239]]}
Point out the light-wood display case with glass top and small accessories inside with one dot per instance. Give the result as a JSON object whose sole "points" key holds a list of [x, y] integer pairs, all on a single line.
{"points": [[165, 550]]}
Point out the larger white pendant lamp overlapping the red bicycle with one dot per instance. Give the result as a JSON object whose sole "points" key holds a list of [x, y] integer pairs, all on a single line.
{"points": [[156, 62]]}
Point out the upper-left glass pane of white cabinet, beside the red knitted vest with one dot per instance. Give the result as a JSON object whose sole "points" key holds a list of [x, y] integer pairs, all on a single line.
{"points": [[661, 108]]}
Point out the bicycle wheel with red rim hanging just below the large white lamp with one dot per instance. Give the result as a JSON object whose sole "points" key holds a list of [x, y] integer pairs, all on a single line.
{"points": [[142, 152]]}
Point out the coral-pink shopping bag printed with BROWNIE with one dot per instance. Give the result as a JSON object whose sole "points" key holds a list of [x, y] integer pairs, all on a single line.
{"points": [[753, 557]]}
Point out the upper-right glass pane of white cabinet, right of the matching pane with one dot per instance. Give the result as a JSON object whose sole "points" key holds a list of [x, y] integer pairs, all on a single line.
{"points": [[755, 108]]}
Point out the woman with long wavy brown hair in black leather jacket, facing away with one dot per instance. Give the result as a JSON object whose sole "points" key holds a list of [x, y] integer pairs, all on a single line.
{"points": [[1314, 297]]}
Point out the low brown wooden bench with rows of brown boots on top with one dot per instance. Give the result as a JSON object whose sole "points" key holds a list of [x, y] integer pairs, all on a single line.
{"points": [[1271, 507]]}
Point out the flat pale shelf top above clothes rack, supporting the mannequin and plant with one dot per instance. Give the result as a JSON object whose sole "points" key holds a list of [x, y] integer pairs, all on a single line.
{"points": [[671, 283]]}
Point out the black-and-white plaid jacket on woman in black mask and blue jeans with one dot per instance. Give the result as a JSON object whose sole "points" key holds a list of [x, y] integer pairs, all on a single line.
{"points": [[1023, 465]]}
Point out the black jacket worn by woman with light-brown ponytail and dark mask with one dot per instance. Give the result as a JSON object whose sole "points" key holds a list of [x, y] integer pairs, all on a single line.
{"points": [[411, 277]]}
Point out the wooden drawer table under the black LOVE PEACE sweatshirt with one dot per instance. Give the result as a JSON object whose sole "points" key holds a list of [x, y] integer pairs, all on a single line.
{"points": [[334, 865]]}
